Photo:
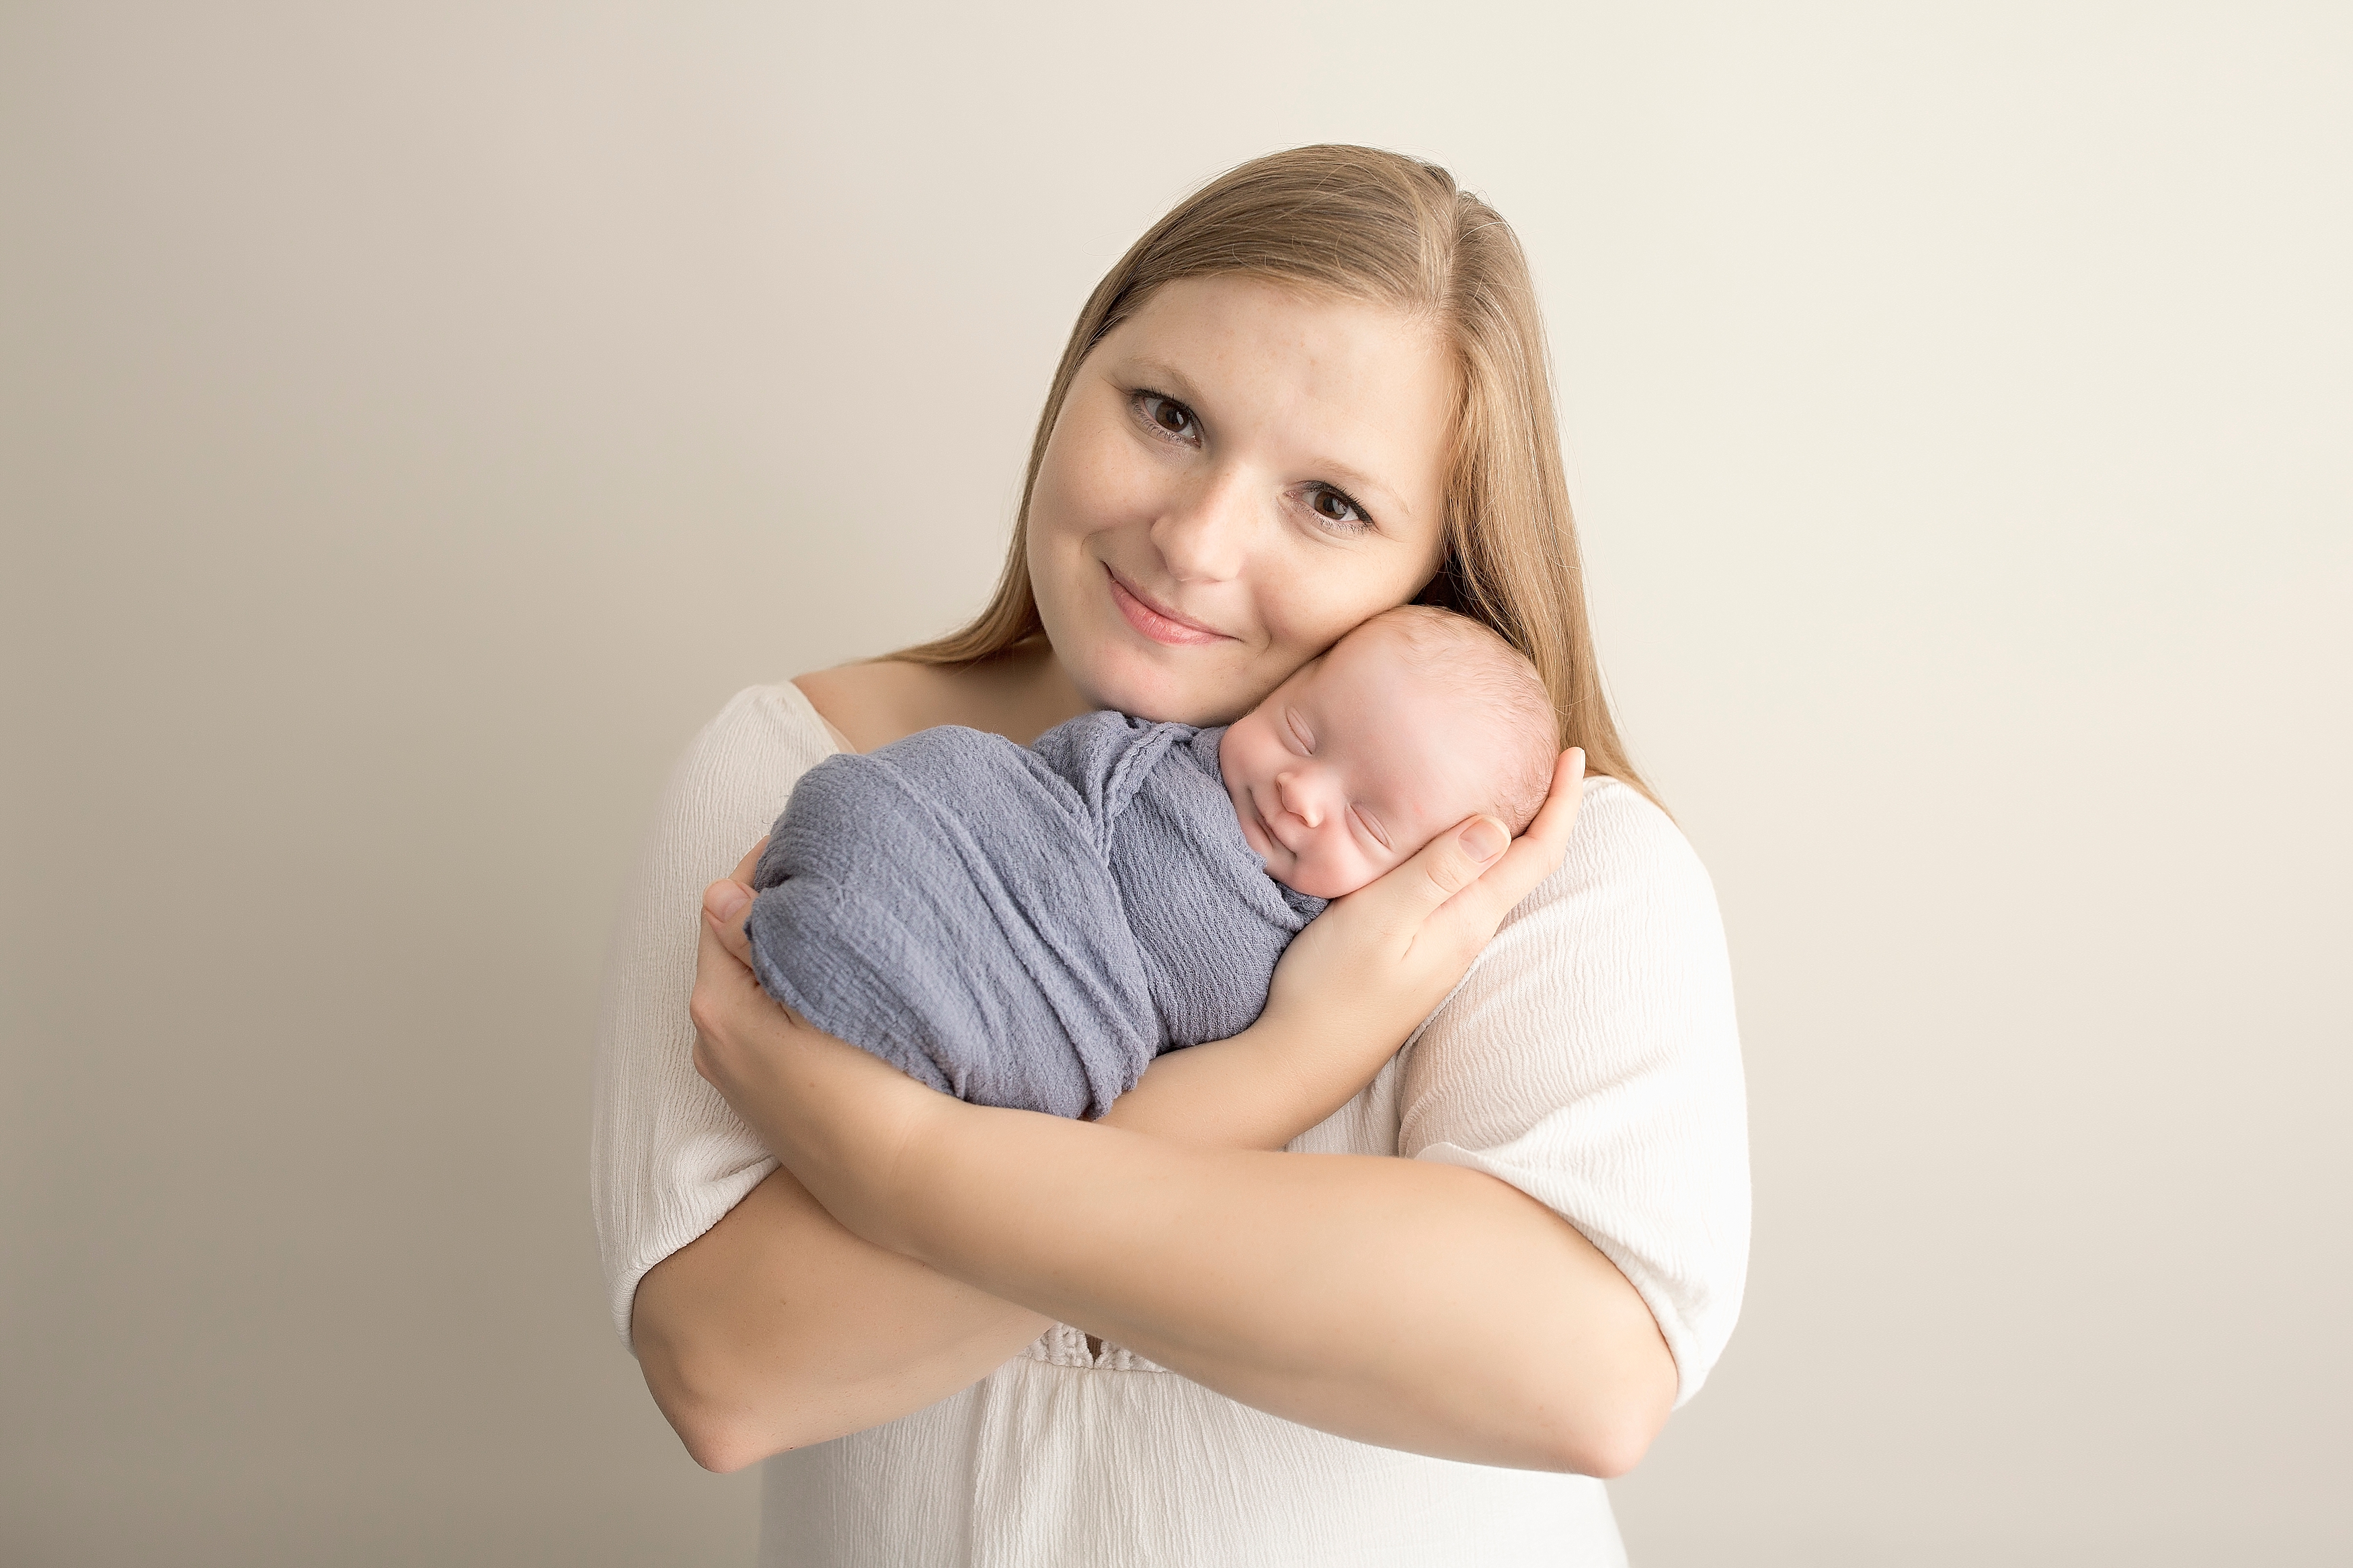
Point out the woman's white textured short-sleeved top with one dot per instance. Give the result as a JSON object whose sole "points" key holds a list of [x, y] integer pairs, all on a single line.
{"points": [[1589, 1059]]}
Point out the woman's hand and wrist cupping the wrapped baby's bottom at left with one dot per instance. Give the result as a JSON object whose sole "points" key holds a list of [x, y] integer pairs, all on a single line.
{"points": [[834, 1115]]}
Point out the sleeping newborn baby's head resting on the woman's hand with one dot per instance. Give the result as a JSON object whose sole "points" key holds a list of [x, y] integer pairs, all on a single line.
{"points": [[1406, 728]]}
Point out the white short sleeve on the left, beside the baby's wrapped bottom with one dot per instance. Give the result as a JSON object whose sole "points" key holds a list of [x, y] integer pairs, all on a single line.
{"points": [[667, 1155]]}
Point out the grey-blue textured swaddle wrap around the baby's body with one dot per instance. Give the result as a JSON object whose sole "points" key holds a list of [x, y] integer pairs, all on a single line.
{"points": [[1022, 925]]}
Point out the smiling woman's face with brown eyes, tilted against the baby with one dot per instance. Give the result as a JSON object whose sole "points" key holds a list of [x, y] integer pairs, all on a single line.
{"points": [[1239, 476]]}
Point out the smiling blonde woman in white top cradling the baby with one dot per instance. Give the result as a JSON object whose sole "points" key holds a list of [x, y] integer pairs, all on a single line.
{"points": [[978, 1336]]}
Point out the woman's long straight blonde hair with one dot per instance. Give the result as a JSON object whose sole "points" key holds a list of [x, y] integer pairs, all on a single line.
{"points": [[1389, 229]]}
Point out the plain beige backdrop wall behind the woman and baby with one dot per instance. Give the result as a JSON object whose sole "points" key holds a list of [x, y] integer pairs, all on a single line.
{"points": [[413, 420]]}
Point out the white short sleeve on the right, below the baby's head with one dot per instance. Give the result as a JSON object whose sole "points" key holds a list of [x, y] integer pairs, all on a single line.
{"points": [[1592, 1061]]}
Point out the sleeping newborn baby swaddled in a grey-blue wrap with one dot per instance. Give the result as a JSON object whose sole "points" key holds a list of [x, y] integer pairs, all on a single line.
{"points": [[1032, 925]]}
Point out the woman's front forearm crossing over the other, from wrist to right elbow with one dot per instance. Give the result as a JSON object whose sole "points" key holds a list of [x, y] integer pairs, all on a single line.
{"points": [[1389, 1301]]}
